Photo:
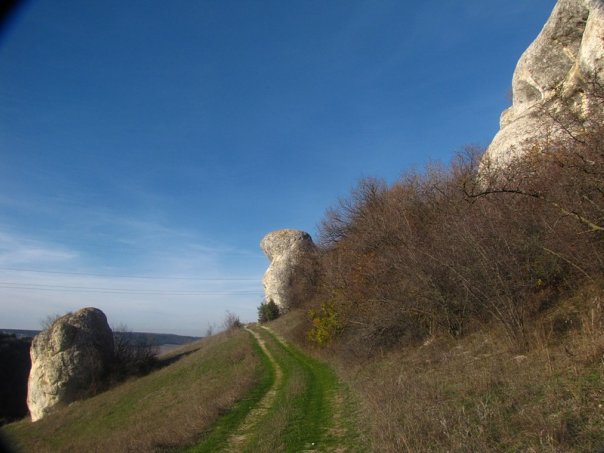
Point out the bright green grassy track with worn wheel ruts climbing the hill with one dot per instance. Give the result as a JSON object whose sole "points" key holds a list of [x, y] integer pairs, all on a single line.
{"points": [[301, 407]]}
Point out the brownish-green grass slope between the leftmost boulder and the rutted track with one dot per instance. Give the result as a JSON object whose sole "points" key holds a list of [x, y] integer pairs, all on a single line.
{"points": [[168, 408]]}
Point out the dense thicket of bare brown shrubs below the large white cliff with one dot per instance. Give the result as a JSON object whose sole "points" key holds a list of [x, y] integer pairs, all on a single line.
{"points": [[462, 245]]}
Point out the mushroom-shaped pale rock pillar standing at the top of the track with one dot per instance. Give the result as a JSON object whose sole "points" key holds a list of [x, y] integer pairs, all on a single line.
{"points": [[290, 274]]}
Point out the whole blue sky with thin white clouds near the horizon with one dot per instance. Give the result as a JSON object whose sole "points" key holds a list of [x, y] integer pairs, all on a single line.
{"points": [[147, 147]]}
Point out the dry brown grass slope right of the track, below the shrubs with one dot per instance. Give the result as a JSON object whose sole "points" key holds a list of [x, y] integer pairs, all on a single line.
{"points": [[475, 394]]}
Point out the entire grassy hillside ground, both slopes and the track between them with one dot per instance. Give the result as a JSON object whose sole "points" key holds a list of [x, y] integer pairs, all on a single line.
{"points": [[448, 394]]}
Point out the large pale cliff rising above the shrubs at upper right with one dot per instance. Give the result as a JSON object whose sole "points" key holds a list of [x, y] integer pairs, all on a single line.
{"points": [[553, 74]]}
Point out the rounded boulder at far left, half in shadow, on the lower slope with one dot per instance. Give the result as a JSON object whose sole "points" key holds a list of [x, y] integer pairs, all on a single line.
{"points": [[68, 360]]}
